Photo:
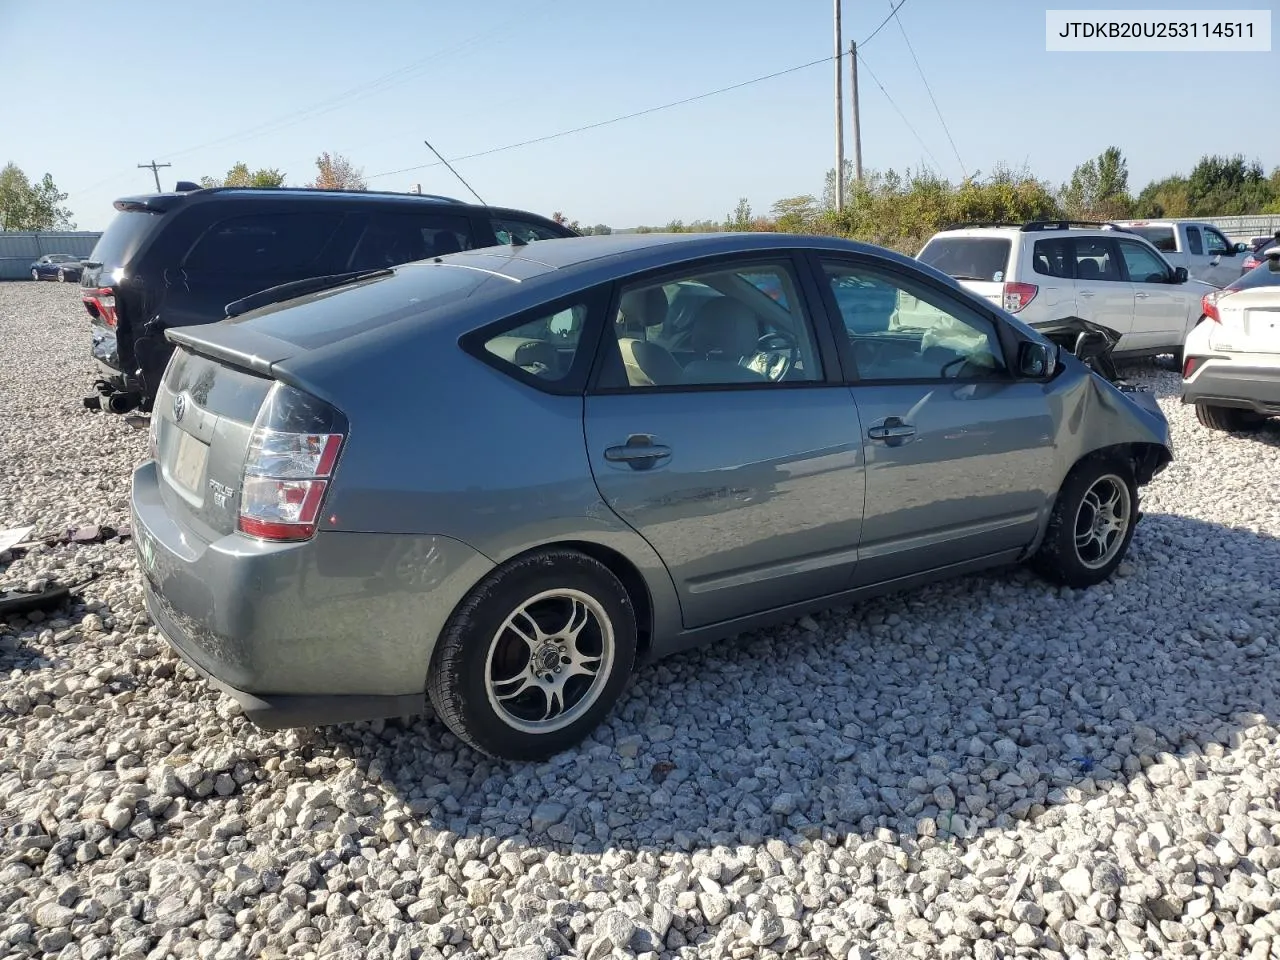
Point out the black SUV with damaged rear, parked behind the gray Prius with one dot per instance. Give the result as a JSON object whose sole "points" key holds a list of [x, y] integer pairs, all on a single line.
{"points": [[179, 260]]}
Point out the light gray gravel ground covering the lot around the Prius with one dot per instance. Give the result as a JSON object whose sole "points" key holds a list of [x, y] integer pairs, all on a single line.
{"points": [[985, 769]]}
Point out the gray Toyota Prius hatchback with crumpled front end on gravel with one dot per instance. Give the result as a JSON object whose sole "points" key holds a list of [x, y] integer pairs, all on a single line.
{"points": [[500, 481]]}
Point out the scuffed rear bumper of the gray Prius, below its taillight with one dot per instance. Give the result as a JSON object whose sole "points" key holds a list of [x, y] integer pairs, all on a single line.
{"points": [[336, 629]]}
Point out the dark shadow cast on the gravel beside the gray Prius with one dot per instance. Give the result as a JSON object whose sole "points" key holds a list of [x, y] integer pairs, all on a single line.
{"points": [[948, 711]]}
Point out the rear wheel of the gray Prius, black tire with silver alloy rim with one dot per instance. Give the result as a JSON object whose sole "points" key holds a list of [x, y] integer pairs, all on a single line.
{"points": [[536, 656]]}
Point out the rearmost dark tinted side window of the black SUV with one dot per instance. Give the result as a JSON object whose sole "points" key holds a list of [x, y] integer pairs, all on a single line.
{"points": [[266, 244]]}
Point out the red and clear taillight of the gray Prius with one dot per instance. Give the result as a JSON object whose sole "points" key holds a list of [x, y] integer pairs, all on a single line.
{"points": [[291, 459]]}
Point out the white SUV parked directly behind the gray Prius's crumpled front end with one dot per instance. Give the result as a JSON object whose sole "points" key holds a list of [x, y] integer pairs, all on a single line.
{"points": [[1049, 272]]}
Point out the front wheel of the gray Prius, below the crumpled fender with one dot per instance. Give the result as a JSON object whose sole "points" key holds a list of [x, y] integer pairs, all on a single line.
{"points": [[1091, 527]]}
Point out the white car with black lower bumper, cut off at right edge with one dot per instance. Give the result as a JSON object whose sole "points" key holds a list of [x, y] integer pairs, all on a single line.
{"points": [[1232, 362]]}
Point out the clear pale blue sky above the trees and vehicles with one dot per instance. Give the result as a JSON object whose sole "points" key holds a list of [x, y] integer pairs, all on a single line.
{"points": [[262, 83]]}
